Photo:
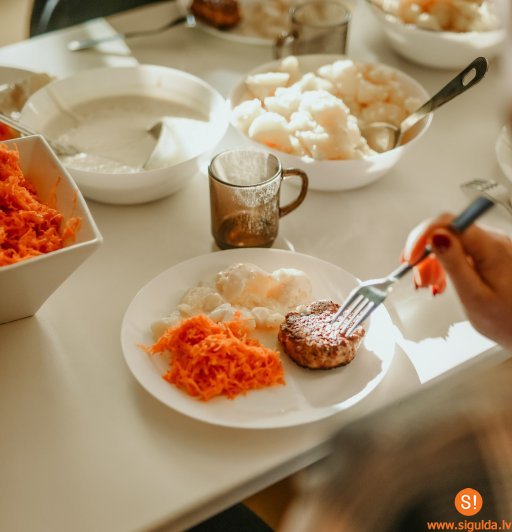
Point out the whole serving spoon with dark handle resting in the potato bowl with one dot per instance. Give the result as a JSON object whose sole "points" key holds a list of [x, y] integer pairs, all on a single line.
{"points": [[382, 136]]}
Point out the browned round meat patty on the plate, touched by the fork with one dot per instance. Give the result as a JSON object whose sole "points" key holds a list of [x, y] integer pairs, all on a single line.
{"points": [[310, 339]]}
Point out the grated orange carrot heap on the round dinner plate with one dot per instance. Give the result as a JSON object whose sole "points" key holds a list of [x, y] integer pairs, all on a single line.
{"points": [[210, 359]]}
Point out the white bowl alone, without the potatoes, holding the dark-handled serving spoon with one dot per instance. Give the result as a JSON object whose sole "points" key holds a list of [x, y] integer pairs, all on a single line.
{"points": [[337, 174]]}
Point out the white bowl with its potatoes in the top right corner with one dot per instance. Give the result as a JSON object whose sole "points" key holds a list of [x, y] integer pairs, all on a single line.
{"points": [[445, 34]]}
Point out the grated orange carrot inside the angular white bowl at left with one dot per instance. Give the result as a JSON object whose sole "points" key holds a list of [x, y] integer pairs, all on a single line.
{"points": [[28, 227]]}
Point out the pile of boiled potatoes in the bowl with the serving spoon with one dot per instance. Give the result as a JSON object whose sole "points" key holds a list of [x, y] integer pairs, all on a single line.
{"points": [[318, 114]]}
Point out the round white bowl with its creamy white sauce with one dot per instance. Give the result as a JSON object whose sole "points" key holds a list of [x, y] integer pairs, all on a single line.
{"points": [[138, 132]]}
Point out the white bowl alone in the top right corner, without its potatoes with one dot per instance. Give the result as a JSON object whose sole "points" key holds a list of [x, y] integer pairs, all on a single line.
{"points": [[438, 49]]}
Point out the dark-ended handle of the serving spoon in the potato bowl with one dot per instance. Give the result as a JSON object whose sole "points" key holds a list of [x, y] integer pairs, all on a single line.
{"points": [[459, 84]]}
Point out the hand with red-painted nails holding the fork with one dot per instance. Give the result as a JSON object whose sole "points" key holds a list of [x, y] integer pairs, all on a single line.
{"points": [[479, 264]]}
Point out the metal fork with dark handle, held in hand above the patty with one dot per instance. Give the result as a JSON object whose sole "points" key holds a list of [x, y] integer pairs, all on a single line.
{"points": [[364, 299]]}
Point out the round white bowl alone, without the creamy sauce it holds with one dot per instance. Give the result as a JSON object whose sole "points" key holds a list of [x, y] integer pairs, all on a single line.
{"points": [[161, 83]]}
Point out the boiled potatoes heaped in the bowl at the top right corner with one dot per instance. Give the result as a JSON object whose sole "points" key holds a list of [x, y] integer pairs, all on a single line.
{"points": [[443, 15]]}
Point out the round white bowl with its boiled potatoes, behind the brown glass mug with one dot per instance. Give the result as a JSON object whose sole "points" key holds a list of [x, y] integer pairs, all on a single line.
{"points": [[308, 110]]}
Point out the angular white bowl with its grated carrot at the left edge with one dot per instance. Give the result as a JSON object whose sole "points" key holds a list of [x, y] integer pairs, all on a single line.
{"points": [[46, 229]]}
